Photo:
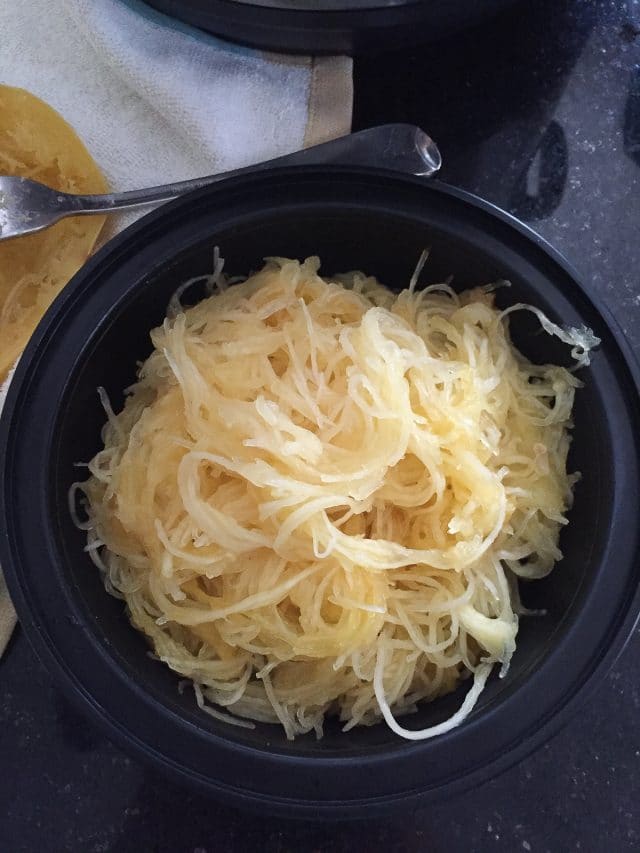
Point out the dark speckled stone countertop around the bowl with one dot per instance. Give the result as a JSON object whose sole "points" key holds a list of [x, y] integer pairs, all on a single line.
{"points": [[540, 113]]}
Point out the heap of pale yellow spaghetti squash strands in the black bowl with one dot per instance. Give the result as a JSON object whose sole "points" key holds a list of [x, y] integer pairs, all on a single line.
{"points": [[315, 496]]}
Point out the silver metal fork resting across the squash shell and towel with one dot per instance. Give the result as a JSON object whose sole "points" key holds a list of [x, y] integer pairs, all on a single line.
{"points": [[27, 206]]}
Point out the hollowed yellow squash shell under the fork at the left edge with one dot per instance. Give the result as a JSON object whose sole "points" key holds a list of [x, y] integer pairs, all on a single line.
{"points": [[36, 142]]}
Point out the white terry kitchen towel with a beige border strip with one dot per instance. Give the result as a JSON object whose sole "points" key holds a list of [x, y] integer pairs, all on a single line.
{"points": [[156, 101]]}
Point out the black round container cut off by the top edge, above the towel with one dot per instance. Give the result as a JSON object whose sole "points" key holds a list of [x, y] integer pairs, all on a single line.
{"points": [[331, 26]]}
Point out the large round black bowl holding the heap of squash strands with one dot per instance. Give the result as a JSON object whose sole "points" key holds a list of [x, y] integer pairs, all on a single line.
{"points": [[97, 330]]}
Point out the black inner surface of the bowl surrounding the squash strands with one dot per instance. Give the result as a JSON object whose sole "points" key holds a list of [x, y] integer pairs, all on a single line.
{"points": [[387, 244]]}
